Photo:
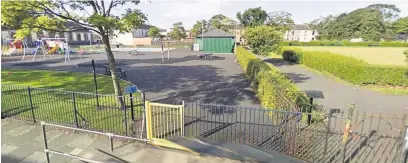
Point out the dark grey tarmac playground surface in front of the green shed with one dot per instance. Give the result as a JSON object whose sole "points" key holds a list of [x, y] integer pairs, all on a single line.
{"points": [[183, 77]]}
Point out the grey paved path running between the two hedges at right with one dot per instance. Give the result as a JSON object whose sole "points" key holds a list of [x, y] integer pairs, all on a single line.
{"points": [[338, 95]]}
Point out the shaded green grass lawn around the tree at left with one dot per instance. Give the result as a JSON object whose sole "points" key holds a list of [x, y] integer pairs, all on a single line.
{"points": [[52, 104]]}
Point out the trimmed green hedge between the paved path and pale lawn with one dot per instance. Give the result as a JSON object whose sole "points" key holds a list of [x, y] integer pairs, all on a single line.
{"points": [[351, 69]]}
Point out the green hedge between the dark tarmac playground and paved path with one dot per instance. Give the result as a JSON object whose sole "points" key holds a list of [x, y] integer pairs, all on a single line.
{"points": [[274, 89]]}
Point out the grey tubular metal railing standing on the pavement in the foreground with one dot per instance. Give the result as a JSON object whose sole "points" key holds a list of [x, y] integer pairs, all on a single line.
{"points": [[47, 151]]}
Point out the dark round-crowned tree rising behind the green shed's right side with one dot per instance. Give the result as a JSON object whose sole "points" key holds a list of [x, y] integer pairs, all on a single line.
{"points": [[252, 17]]}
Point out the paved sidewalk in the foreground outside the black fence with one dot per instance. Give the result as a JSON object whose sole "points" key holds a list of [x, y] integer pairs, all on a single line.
{"points": [[22, 142]]}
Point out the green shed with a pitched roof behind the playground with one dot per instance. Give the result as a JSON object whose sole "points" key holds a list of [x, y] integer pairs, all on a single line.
{"points": [[216, 41]]}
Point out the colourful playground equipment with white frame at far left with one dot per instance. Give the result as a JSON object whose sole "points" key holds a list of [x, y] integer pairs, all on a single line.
{"points": [[51, 46]]}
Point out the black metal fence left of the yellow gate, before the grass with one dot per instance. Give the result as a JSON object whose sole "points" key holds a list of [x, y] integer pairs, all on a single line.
{"points": [[107, 113]]}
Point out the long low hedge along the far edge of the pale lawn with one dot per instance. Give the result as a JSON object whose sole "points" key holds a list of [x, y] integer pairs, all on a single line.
{"points": [[347, 43]]}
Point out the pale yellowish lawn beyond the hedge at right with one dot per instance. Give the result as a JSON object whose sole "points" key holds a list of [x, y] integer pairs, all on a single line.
{"points": [[372, 55]]}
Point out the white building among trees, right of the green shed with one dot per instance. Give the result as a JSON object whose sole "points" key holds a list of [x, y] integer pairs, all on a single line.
{"points": [[301, 33]]}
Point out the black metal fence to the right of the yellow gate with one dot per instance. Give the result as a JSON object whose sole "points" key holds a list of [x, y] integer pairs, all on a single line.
{"points": [[371, 137]]}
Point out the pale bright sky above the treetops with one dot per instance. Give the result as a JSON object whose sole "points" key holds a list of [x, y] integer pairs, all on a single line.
{"points": [[163, 13]]}
